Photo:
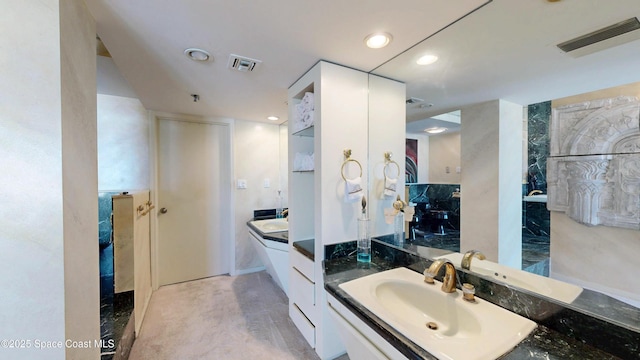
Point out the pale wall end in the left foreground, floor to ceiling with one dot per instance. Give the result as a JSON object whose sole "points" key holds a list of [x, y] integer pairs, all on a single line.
{"points": [[48, 186]]}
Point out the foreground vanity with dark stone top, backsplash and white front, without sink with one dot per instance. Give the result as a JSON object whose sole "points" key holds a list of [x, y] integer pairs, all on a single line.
{"points": [[561, 331]]}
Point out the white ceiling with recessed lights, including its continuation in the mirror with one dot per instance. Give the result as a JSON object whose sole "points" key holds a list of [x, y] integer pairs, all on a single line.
{"points": [[502, 50]]}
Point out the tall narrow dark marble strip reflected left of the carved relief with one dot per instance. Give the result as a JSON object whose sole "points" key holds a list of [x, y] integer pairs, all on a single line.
{"points": [[539, 116]]}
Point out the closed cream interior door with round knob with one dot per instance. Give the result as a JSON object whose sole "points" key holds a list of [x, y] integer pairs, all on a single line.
{"points": [[194, 182]]}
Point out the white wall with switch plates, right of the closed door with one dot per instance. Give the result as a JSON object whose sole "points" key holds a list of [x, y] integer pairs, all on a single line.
{"points": [[256, 158]]}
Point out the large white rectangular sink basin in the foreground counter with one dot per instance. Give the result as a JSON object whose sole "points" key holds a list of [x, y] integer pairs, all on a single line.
{"points": [[465, 330]]}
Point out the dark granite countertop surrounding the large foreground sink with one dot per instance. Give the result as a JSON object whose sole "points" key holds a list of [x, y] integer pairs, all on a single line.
{"points": [[542, 343]]}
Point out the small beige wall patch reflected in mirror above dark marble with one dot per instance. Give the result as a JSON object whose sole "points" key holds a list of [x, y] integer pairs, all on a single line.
{"points": [[444, 151]]}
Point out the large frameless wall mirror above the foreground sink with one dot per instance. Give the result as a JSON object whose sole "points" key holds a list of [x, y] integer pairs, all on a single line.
{"points": [[553, 243]]}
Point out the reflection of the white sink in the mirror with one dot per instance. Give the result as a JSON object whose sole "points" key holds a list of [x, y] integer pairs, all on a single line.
{"points": [[525, 280]]}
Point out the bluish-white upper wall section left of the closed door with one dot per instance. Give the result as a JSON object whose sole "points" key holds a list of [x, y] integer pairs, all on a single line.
{"points": [[123, 144]]}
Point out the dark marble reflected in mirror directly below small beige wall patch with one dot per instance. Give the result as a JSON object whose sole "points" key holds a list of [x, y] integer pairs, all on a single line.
{"points": [[428, 197]]}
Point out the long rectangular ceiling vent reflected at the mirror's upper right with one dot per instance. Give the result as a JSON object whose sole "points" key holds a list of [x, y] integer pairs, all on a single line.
{"points": [[616, 34]]}
